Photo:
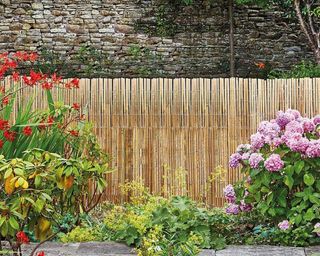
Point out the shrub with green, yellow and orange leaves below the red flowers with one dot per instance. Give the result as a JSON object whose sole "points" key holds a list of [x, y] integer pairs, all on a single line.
{"points": [[43, 187]]}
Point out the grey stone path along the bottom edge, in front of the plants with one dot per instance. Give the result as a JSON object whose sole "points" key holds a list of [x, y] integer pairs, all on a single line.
{"points": [[116, 249]]}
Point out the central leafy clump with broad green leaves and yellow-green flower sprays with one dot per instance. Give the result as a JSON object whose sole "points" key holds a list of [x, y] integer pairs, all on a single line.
{"points": [[176, 226]]}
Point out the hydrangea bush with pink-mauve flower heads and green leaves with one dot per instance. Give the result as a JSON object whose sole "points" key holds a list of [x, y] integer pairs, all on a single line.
{"points": [[282, 170]]}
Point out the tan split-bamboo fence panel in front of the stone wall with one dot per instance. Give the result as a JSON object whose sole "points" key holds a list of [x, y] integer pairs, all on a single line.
{"points": [[173, 134]]}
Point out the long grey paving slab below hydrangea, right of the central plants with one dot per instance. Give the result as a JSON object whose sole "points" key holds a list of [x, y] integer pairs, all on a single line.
{"points": [[261, 250]]}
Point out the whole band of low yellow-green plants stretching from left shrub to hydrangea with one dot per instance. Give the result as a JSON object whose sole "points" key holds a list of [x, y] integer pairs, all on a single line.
{"points": [[171, 226]]}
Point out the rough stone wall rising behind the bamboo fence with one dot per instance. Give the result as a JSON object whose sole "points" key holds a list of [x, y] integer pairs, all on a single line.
{"points": [[146, 38]]}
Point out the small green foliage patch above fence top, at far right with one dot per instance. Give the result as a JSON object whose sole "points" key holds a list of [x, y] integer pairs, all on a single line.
{"points": [[301, 70]]}
